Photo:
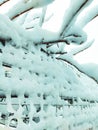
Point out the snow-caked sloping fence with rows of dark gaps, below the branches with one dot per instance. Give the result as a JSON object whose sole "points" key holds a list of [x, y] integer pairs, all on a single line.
{"points": [[24, 102]]}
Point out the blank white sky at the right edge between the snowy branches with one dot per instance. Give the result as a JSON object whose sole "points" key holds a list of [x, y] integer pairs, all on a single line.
{"points": [[90, 55]]}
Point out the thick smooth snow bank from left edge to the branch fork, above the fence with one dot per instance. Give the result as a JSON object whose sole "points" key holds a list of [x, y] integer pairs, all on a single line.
{"points": [[19, 31]]}
